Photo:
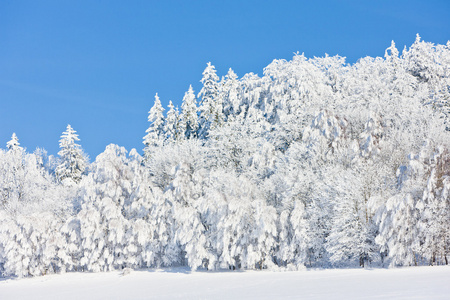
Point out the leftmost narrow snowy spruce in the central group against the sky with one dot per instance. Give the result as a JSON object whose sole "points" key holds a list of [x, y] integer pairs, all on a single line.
{"points": [[155, 132]]}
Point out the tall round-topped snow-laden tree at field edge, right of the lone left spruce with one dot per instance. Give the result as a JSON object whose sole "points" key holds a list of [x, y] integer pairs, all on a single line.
{"points": [[105, 232]]}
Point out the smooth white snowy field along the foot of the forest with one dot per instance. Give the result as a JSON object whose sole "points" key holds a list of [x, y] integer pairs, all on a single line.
{"points": [[406, 283]]}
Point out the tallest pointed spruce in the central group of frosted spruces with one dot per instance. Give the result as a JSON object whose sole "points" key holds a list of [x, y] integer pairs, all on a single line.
{"points": [[211, 107]]}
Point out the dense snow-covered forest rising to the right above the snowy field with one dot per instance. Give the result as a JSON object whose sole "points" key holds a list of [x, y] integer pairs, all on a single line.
{"points": [[317, 163]]}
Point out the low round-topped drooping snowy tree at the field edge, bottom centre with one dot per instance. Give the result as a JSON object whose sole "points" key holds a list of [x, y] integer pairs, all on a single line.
{"points": [[244, 230]]}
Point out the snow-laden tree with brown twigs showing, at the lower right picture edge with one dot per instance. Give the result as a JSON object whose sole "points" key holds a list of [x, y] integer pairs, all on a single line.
{"points": [[413, 224]]}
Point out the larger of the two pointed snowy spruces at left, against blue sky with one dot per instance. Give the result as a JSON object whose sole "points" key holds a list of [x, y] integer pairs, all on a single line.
{"points": [[72, 160]]}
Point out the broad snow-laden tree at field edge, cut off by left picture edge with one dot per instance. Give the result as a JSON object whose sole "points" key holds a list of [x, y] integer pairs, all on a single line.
{"points": [[32, 209]]}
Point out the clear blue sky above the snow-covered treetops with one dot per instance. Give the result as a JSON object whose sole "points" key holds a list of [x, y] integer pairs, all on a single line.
{"points": [[97, 64]]}
